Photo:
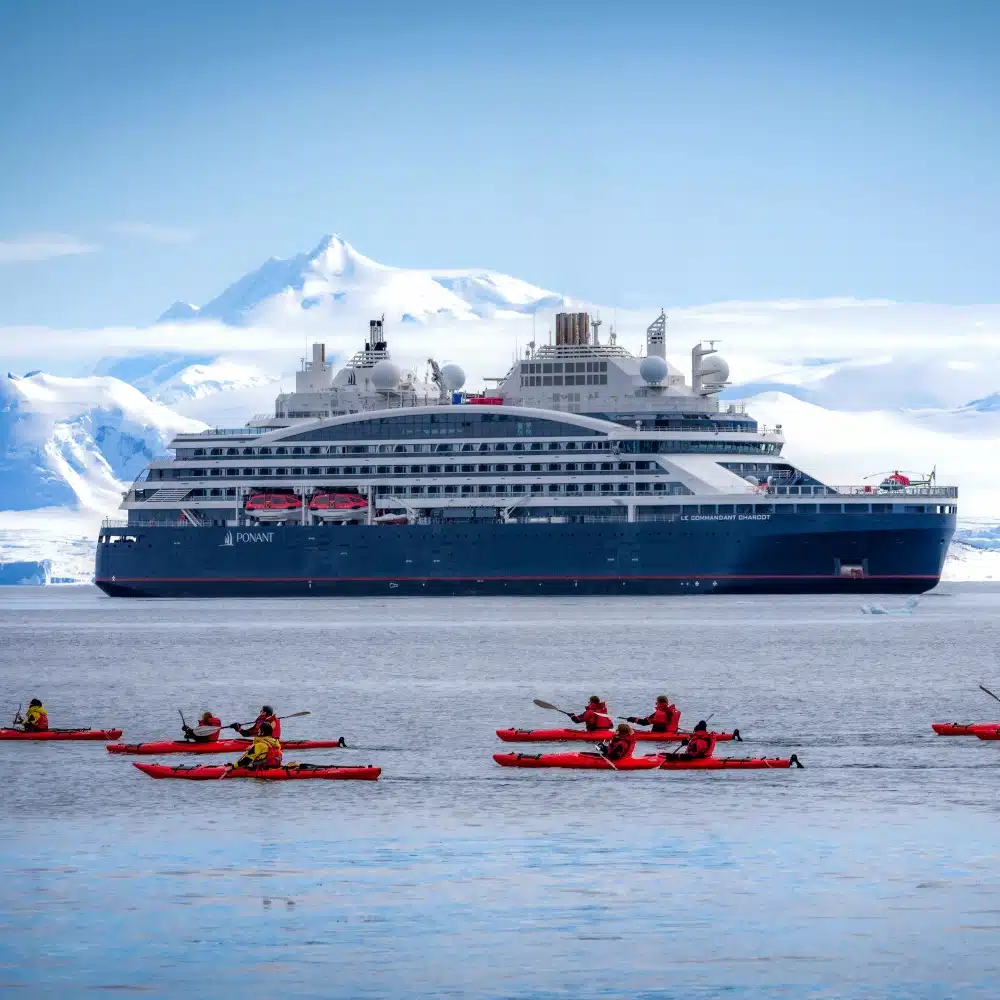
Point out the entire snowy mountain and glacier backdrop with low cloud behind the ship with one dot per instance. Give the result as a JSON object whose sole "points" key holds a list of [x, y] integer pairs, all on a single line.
{"points": [[859, 387]]}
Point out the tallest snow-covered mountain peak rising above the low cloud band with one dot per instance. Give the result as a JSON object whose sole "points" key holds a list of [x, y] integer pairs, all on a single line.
{"points": [[334, 277]]}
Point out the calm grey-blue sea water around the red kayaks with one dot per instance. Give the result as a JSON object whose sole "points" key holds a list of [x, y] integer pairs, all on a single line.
{"points": [[873, 872]]}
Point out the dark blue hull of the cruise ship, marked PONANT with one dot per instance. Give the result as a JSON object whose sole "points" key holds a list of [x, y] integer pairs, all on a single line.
{"points": [[801, 553]]}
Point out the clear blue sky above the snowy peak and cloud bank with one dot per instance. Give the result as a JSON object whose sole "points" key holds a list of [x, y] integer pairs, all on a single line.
{"points": [[635, 154]]}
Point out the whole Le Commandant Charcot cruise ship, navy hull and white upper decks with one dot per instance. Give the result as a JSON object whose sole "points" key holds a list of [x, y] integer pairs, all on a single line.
{"points": [[586, 470]]}
